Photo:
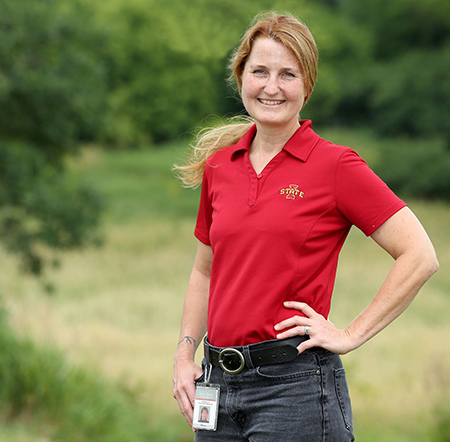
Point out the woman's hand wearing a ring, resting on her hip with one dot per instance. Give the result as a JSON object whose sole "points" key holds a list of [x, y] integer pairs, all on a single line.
{"points": [[321, 331]]}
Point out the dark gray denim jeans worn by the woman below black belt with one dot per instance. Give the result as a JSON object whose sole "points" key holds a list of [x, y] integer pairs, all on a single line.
{"points": [[305, 400]]}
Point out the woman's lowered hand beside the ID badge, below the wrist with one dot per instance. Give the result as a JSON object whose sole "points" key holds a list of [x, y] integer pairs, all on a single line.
{"points": [[185, 372]]}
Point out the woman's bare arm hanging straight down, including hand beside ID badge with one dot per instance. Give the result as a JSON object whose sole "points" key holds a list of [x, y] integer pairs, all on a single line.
{"points": [[193, 329]]}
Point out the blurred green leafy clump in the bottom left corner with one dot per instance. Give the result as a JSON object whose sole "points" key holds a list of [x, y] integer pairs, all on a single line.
{"points": [[72, 404]]}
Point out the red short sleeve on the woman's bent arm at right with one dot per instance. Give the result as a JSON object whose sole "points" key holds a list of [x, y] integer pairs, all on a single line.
{"points": [[362, 197]]}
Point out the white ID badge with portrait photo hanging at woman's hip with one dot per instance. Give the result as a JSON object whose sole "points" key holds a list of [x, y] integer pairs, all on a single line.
{"points": [[206, 407]]}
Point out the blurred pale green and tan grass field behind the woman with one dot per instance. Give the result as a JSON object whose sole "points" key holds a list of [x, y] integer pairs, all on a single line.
{"points": [[117, 308]]}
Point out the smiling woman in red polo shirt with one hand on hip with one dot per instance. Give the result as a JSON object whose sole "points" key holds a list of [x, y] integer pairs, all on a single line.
{"points": [[277, 203]]}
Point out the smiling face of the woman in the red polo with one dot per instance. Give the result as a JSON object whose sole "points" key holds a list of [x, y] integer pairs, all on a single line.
{"points": [[273, 89]]}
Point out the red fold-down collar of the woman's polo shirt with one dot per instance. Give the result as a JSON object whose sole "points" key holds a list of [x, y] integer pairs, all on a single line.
{"points": [[300, 145]]}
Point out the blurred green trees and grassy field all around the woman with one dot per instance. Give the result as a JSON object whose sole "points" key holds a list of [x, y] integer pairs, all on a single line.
{"points": [[97, 101]]}
